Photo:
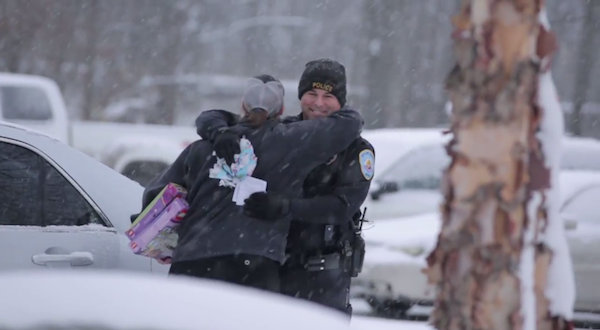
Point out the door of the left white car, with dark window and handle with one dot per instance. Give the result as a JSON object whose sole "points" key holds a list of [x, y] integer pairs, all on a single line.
{"points": [[45, 221]]}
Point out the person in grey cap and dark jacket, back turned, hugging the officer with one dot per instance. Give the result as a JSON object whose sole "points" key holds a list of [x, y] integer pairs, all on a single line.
{"points": [[216, 239]]}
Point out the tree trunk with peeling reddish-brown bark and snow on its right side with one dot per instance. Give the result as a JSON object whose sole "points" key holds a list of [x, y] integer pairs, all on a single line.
{"points": [[491, 263]]}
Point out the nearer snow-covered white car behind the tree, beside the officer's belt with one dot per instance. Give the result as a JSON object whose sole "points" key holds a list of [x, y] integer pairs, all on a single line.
{"points": [[392, 280]]}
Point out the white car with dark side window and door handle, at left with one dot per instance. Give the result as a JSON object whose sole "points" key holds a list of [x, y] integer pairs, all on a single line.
{"points": [[60, 208]]}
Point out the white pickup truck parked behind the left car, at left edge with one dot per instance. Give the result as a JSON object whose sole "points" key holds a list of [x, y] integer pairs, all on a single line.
{"points": [[139, 151]]}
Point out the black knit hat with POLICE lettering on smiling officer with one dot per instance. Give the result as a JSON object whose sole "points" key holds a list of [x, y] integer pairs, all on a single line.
{"points": [[325, 74]]}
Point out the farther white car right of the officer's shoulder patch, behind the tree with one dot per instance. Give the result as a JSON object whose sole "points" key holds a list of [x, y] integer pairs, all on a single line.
{"points": [[411, 184]]}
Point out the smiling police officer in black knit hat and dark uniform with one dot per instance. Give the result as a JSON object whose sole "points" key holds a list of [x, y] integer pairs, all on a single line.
{"points": [[324, 248]]}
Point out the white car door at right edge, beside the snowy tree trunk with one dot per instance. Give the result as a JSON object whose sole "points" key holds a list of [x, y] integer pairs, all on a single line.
{"points": [[583, 234]]}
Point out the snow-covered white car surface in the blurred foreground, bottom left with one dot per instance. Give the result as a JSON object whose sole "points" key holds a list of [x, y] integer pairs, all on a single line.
{"points": [[117, 300]]}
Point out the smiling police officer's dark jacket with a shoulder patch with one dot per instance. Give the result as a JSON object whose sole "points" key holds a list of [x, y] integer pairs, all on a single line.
{"points": [[332, 192]]}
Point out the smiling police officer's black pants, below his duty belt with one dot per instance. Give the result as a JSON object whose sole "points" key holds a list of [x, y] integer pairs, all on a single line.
{"points": [[328, 287]]}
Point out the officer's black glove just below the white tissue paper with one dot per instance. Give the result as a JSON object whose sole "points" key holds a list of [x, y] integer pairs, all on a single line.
{"points": [[266, 206]]}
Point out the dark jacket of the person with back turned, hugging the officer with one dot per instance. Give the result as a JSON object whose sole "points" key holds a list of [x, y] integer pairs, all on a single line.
{"points": [[214, 225]]}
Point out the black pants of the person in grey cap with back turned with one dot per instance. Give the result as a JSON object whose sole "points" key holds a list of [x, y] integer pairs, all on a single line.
{"points": [[248, 270]]}
